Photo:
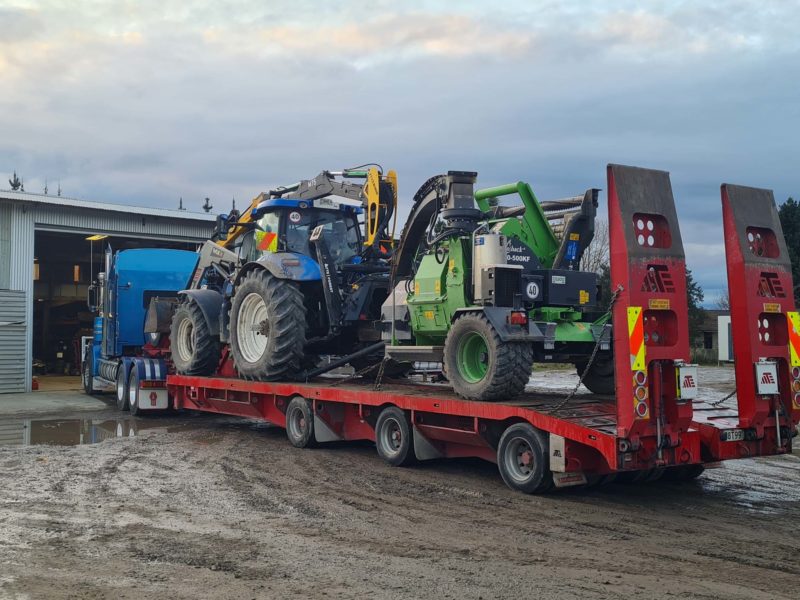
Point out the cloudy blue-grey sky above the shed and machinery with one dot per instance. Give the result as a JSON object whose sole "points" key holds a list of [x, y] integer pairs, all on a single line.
{"points": [[143, 103]]}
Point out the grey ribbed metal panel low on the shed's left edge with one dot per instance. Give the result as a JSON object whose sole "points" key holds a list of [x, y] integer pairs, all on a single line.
{"points": [[13, 334]]}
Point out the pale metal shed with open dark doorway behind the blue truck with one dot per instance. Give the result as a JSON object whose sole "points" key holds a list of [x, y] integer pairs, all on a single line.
{"points": [[51, 249]]}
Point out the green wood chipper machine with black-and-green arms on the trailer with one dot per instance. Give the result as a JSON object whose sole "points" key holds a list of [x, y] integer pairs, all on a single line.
{"points": [[487, 289]]}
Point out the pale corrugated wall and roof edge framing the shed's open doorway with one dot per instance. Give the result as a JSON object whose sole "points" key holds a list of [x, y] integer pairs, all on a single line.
{"points": [[23, 215]]}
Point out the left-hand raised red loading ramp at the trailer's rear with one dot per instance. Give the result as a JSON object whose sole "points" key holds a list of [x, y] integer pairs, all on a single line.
{"points": [[650, 322]]}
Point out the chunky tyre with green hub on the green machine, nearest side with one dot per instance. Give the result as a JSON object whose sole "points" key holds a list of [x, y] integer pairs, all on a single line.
{"points": [[480, 366]]}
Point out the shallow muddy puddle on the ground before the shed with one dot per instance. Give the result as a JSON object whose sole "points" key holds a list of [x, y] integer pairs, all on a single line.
{"points": [[68, 432]]}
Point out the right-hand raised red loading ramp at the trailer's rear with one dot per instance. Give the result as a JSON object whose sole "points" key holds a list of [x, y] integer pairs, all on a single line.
{"points": [[764, 322]]}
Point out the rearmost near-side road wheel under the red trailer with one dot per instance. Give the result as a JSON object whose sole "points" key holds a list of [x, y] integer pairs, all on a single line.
{"points": [[523, 459]]}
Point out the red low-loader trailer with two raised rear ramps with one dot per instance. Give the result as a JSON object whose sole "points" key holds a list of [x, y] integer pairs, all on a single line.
{"points": [[653, 426]]}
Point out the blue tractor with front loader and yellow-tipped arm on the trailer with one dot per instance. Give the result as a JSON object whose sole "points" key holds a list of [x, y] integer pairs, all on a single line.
{"points": [[302, 273]]}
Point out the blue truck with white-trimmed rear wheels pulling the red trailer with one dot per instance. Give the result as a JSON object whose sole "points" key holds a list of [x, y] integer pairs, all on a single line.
{"points": [[120, 356]]}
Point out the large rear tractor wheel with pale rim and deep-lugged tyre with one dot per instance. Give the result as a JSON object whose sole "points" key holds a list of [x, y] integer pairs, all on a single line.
{"points": [[268, 327]]}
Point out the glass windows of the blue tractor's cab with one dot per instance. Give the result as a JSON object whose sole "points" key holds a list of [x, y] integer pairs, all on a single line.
{"points": [[339, 230]]}
